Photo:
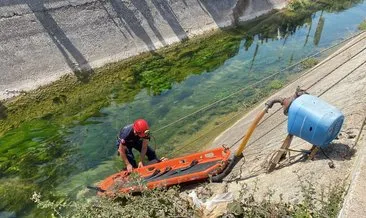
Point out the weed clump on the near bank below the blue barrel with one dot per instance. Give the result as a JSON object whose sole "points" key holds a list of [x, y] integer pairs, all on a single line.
{"points": [[327, 203]]}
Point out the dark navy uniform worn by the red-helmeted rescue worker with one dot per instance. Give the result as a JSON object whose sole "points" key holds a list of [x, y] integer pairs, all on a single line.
{"points": [[130, 140]]}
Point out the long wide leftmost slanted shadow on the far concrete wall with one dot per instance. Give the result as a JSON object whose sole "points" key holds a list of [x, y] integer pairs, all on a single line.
{"points": [[81, 69]]}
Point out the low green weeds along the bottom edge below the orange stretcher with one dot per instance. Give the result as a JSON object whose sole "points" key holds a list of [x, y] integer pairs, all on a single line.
{"points": [[150, 203]]}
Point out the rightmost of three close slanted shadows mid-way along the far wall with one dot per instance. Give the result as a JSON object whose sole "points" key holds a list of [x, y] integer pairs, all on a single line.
{"points": [[168, 14]]}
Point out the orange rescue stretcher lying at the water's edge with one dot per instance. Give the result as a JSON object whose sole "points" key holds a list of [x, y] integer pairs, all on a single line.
{"points": [[194, 167]]}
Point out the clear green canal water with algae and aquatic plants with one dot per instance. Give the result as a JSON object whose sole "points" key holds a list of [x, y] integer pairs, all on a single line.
{"points": [[58, 152]]}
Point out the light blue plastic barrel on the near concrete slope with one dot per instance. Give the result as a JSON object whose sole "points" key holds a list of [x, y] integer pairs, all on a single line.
{"points": [[314, 120]]}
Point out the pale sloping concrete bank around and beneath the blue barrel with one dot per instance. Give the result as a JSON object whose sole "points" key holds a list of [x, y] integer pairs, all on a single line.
{"points": [[339, 80]]}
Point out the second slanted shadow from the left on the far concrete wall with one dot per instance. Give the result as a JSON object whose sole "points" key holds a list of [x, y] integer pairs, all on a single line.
{"points": [[131, 22]]}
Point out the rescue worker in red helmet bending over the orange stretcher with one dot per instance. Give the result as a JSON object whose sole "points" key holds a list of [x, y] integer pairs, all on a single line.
{"points": [[135, 136]]}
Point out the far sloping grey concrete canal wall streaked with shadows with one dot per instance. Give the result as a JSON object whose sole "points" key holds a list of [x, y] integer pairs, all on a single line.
{"points": [[41, 40]]}
